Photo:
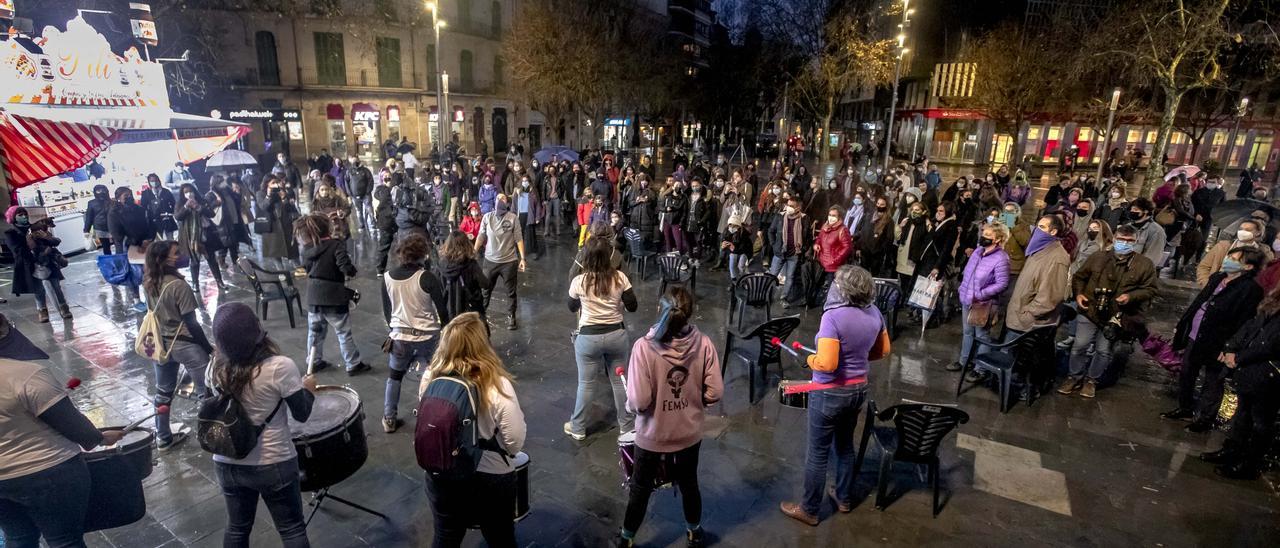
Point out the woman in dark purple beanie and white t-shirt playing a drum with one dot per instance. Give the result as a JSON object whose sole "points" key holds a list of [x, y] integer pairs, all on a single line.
{"points": [[250, 367]]}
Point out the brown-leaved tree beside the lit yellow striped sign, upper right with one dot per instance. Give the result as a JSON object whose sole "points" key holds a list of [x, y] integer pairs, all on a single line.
{"points": [[1011, 79]]}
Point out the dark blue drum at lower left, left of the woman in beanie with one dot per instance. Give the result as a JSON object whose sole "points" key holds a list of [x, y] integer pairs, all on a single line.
{"points": [[116, 473]]}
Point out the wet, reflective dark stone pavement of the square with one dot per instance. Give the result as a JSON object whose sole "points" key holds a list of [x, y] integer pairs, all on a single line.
{"points": [[1064, 472]]}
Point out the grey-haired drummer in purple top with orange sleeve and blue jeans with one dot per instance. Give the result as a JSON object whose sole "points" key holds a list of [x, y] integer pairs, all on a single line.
{"points": [[851, 335]]}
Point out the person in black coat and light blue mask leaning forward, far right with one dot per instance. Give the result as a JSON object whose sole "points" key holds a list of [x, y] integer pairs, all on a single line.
{"points": [[1228, 302]]}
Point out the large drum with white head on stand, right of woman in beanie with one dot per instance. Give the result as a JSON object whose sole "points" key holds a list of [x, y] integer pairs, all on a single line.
{"points": [[332, 444]]}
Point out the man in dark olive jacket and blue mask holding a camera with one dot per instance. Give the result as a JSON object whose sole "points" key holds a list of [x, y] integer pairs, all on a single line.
{"points": [[1110, 293]]}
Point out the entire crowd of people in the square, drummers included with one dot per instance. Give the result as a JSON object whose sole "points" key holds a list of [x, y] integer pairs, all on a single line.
{"points": [[1086, 259]]}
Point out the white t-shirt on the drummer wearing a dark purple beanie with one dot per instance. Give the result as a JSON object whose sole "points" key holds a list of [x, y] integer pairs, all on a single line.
{"points": [[278, 380]]}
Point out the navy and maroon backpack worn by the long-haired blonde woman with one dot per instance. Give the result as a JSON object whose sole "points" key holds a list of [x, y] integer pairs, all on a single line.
{"points": [[447, 437]]}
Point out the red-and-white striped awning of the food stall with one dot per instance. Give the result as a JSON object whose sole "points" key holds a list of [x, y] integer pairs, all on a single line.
{"points": [[43, 141]]}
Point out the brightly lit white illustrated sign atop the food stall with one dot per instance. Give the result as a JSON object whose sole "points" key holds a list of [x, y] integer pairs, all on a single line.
{"points": [[77, 67]]}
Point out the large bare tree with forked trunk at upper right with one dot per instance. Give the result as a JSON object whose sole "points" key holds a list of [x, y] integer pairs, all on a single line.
{"points": [[1174, 47]]}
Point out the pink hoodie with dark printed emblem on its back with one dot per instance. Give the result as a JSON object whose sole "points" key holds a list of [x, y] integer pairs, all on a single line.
{"points": [[669, 386]]}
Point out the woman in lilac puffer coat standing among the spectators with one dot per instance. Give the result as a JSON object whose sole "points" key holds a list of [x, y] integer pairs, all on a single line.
{"points": [[986, 276]]}
